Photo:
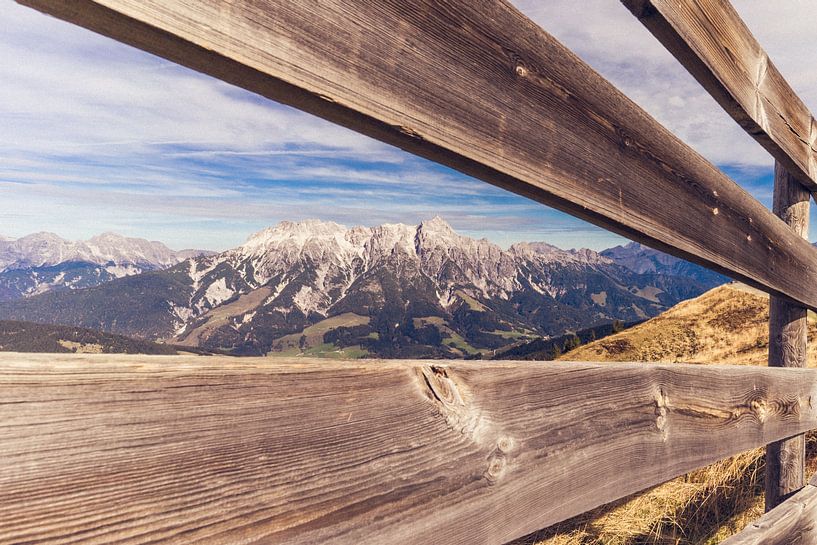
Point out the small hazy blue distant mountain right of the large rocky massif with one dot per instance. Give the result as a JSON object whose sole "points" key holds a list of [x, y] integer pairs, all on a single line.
{"points": [[643, 260]]}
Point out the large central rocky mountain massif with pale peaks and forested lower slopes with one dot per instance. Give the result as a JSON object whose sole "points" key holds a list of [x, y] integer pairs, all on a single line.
{"points": [[393, 290]]}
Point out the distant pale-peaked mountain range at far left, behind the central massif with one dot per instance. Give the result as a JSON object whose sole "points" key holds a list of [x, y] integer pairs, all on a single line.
{"points": [[43, 262]]}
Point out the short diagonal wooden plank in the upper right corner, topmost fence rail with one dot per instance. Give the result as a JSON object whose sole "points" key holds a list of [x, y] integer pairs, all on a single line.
{"points": [[711, 40]]}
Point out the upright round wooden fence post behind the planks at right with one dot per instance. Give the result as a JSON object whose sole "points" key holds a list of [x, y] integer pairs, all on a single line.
{"points": [[785, 460]]}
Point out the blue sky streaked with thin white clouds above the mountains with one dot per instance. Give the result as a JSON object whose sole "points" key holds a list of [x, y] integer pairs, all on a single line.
{"points": [[97, 136]]}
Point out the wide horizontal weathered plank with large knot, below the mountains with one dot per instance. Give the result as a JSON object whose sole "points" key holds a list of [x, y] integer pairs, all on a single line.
{"points": [[102, 449]]}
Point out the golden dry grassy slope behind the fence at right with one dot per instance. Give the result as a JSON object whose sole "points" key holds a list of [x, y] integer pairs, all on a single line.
{"points": [[725, 325]]}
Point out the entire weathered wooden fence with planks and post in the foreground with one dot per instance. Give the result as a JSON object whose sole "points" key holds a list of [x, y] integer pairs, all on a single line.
{"points": [[131, 450]]}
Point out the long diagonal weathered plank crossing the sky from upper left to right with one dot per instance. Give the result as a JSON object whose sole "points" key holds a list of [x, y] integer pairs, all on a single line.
{"points": [[479, 87]]}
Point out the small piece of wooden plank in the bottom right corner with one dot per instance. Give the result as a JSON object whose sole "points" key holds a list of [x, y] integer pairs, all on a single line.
{"points": [[794, 522]]}
